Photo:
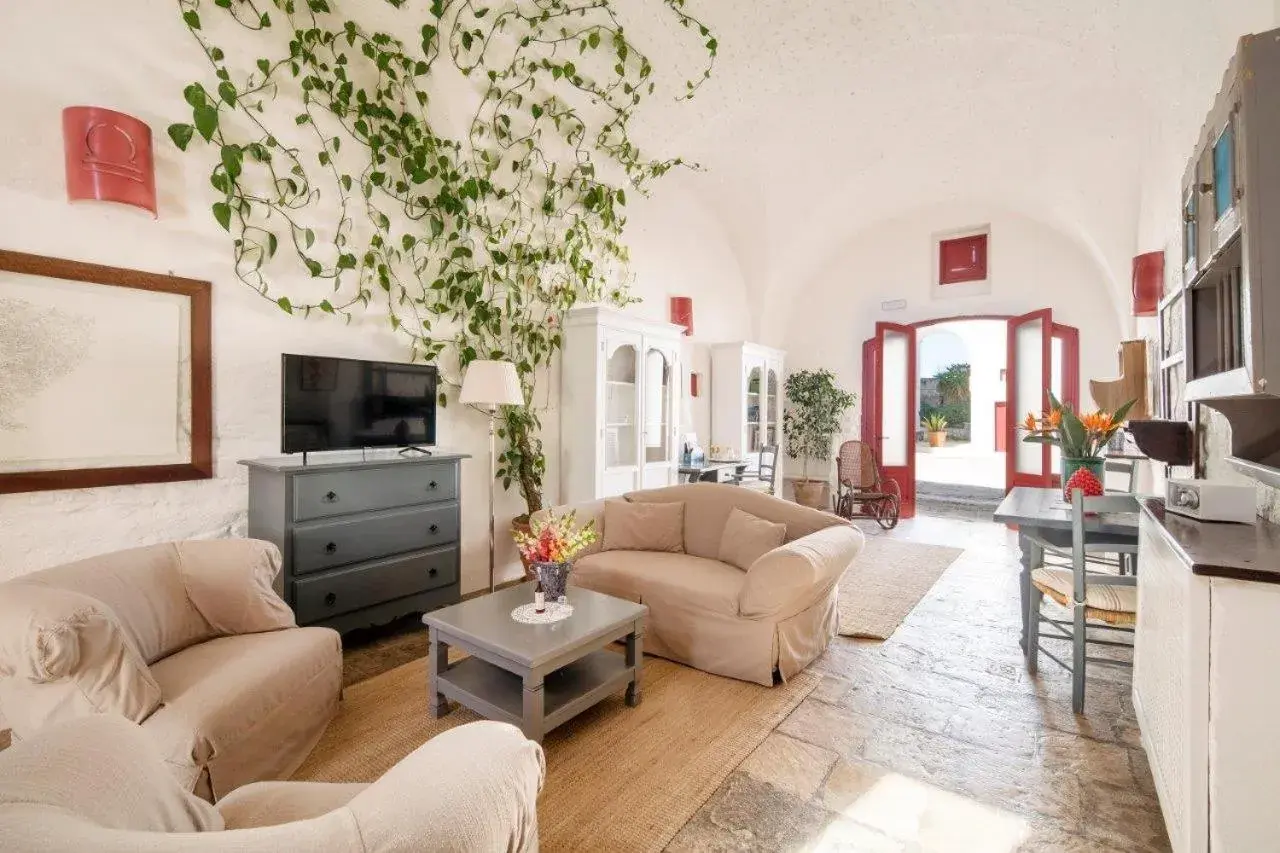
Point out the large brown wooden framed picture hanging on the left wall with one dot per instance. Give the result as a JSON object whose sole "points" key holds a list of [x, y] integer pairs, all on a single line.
{"points": [[106, 376]]}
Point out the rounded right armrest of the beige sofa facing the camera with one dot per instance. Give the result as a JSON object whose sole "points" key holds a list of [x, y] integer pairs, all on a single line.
{"points": [[788, 580]]}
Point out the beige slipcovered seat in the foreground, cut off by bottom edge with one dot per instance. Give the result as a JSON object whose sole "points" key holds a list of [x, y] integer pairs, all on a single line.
{"points": [[99, 784]]}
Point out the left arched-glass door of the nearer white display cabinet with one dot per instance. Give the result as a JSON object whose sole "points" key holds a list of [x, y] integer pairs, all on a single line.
{"points": [[621, 419]]}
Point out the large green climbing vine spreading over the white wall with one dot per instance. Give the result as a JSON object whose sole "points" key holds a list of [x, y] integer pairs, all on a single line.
{"points": [[333, 158]]}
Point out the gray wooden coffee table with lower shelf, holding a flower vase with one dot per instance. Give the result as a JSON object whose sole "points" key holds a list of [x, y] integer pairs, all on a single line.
{"points": [[536, 677]]}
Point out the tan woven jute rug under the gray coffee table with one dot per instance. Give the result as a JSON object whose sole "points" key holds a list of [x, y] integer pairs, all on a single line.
{"points": [[618, 778]]}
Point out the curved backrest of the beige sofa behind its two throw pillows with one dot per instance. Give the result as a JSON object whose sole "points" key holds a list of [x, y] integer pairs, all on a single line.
{"points": [[707, 508]]}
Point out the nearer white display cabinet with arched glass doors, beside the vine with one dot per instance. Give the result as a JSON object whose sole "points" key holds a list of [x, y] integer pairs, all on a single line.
{"points": [[620, 404]]}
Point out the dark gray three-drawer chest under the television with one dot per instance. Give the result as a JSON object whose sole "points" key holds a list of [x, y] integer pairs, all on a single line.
{"points": [[364, 542]]}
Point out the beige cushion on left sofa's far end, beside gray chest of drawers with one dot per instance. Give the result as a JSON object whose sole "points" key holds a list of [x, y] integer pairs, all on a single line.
{"points": [[231, 585]]}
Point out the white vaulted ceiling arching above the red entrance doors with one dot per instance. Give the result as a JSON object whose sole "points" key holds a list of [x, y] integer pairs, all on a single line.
{"points": [[826, 117]]}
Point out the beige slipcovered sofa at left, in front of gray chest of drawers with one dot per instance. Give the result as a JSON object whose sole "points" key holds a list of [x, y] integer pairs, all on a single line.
{"points": [[188, 640]]}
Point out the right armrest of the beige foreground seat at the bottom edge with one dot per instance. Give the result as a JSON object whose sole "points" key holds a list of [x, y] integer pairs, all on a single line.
{"points": [[473, 788]]}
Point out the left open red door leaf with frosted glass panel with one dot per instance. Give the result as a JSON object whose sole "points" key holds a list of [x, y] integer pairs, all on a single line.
{"points": [[897, 414]]}
